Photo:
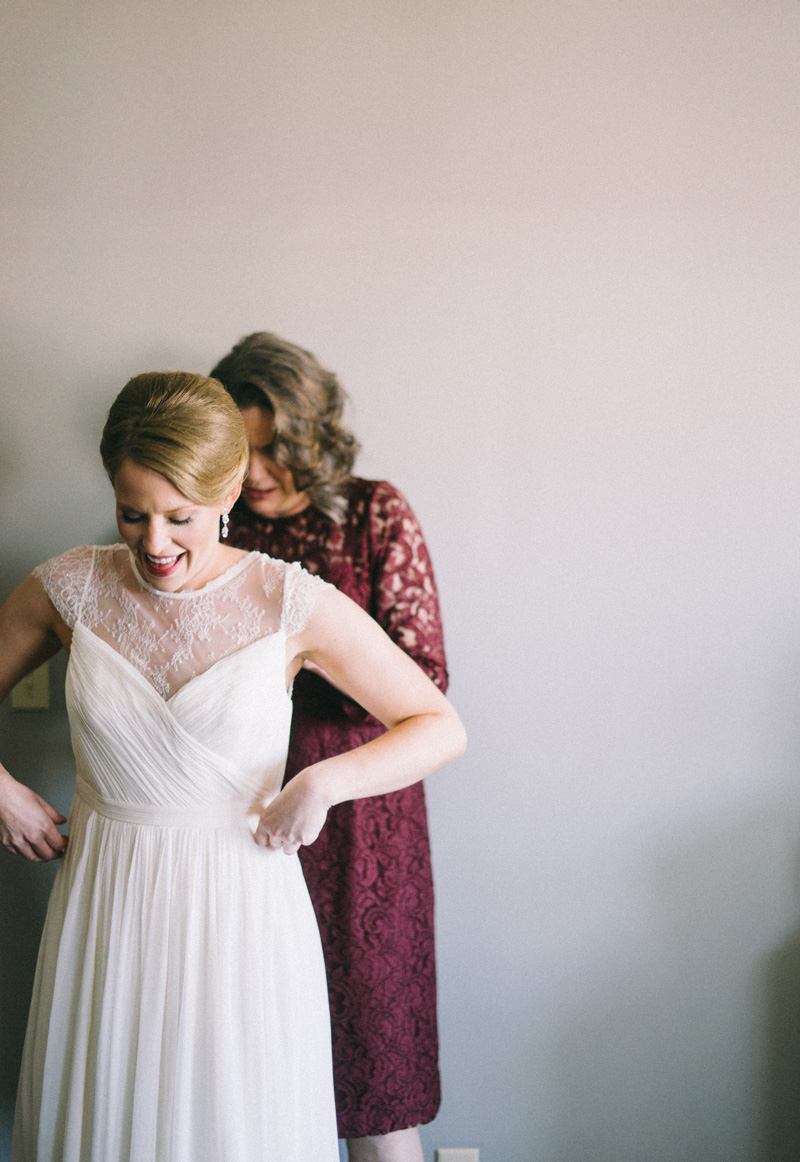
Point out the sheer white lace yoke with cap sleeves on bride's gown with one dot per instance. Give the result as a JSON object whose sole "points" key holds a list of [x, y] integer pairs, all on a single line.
{"points": [[173, 637]]}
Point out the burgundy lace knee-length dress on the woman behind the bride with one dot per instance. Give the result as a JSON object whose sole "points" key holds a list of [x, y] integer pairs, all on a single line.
{"points": [[369, 873]]}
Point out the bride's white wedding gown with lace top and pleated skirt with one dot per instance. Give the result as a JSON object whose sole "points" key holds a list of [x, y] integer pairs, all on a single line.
{"points": [[180, 1010]]}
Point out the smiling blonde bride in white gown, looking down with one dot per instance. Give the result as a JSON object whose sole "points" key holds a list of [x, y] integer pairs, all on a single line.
{"points": [[180, 1010]]}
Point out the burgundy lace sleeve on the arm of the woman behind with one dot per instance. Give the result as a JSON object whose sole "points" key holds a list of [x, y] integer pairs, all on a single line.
{"points": [[404, 591]]}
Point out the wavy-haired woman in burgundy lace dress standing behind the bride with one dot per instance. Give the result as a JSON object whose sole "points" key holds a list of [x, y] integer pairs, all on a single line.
{"points": [[369, 873]]}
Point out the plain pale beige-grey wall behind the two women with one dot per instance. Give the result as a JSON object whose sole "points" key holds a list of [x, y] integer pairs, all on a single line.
{"points": [[553, 250]]}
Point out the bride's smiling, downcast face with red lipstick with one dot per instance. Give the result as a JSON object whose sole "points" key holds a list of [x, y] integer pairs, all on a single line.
{"points": [[175, 541]]}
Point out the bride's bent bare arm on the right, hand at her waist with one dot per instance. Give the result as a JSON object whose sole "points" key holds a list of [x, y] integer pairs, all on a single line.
{"points": [[424, 730]]}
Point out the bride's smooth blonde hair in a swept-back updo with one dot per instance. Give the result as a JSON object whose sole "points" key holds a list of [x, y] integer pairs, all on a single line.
{"points": [[184, 427]]}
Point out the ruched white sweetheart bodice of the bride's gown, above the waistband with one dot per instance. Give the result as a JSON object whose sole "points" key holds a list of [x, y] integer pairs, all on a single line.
{"points": [[223, 736]]}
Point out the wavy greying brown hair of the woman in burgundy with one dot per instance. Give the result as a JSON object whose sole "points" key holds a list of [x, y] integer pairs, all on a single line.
{"points": [[308, 403]]}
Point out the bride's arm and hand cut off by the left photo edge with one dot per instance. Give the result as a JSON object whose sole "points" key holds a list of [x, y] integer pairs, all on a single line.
{"points": [[28, 637]]}
